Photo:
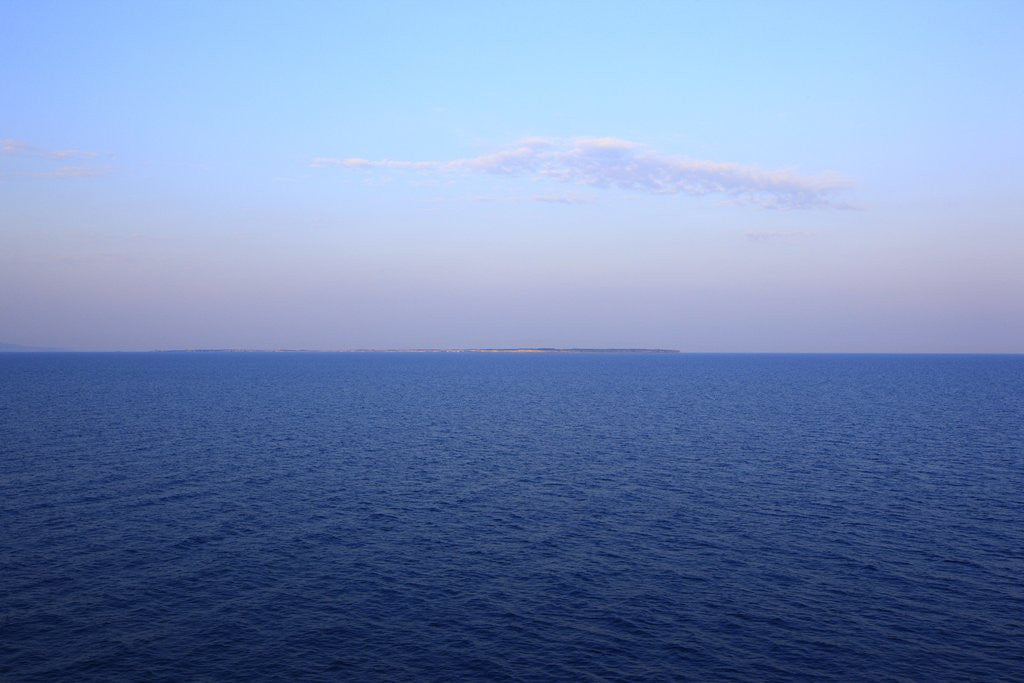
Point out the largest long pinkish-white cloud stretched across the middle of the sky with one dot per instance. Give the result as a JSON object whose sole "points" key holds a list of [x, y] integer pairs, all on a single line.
{"points": [[607, 162]]}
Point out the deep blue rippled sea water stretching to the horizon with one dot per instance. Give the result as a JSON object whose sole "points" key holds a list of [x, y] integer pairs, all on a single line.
{"points": [[275, 517]]}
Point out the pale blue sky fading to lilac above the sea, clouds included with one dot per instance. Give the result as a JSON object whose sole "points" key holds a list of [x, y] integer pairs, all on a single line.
{"points": [[728, 177]]}
